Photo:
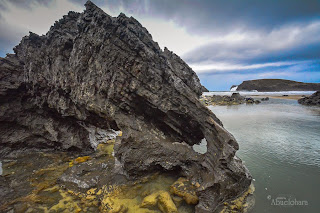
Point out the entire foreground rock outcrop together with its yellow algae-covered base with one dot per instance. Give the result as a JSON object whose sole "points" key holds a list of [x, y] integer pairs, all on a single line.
{"points": [[104, 111]]}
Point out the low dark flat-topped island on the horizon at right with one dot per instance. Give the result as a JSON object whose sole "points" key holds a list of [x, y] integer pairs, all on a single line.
{"points": [[272, 85]]}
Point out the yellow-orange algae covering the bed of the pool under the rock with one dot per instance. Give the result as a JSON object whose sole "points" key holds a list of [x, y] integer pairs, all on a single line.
{"points": [[151, 194]]}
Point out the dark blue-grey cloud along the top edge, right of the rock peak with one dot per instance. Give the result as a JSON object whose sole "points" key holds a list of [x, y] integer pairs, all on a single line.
{"points": [[220, 15]]}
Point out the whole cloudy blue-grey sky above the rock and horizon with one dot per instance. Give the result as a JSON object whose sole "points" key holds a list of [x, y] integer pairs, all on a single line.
{"points": [[224, 41]]}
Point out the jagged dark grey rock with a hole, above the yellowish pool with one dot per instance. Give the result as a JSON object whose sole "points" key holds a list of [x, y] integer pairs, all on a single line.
{"points": [[93, 74]]}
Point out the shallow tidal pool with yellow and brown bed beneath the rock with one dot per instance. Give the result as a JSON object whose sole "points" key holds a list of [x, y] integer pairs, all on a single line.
{"points": [[41, 182]]}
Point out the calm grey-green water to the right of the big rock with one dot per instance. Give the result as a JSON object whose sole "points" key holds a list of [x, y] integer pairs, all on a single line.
{"points": [[280, 144]]}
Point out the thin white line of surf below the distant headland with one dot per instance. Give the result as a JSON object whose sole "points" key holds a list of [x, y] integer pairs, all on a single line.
{"points": [[248, 93]]}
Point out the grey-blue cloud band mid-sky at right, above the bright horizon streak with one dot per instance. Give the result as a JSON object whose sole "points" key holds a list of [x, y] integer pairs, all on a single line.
{"points": [[289, 42]]}
